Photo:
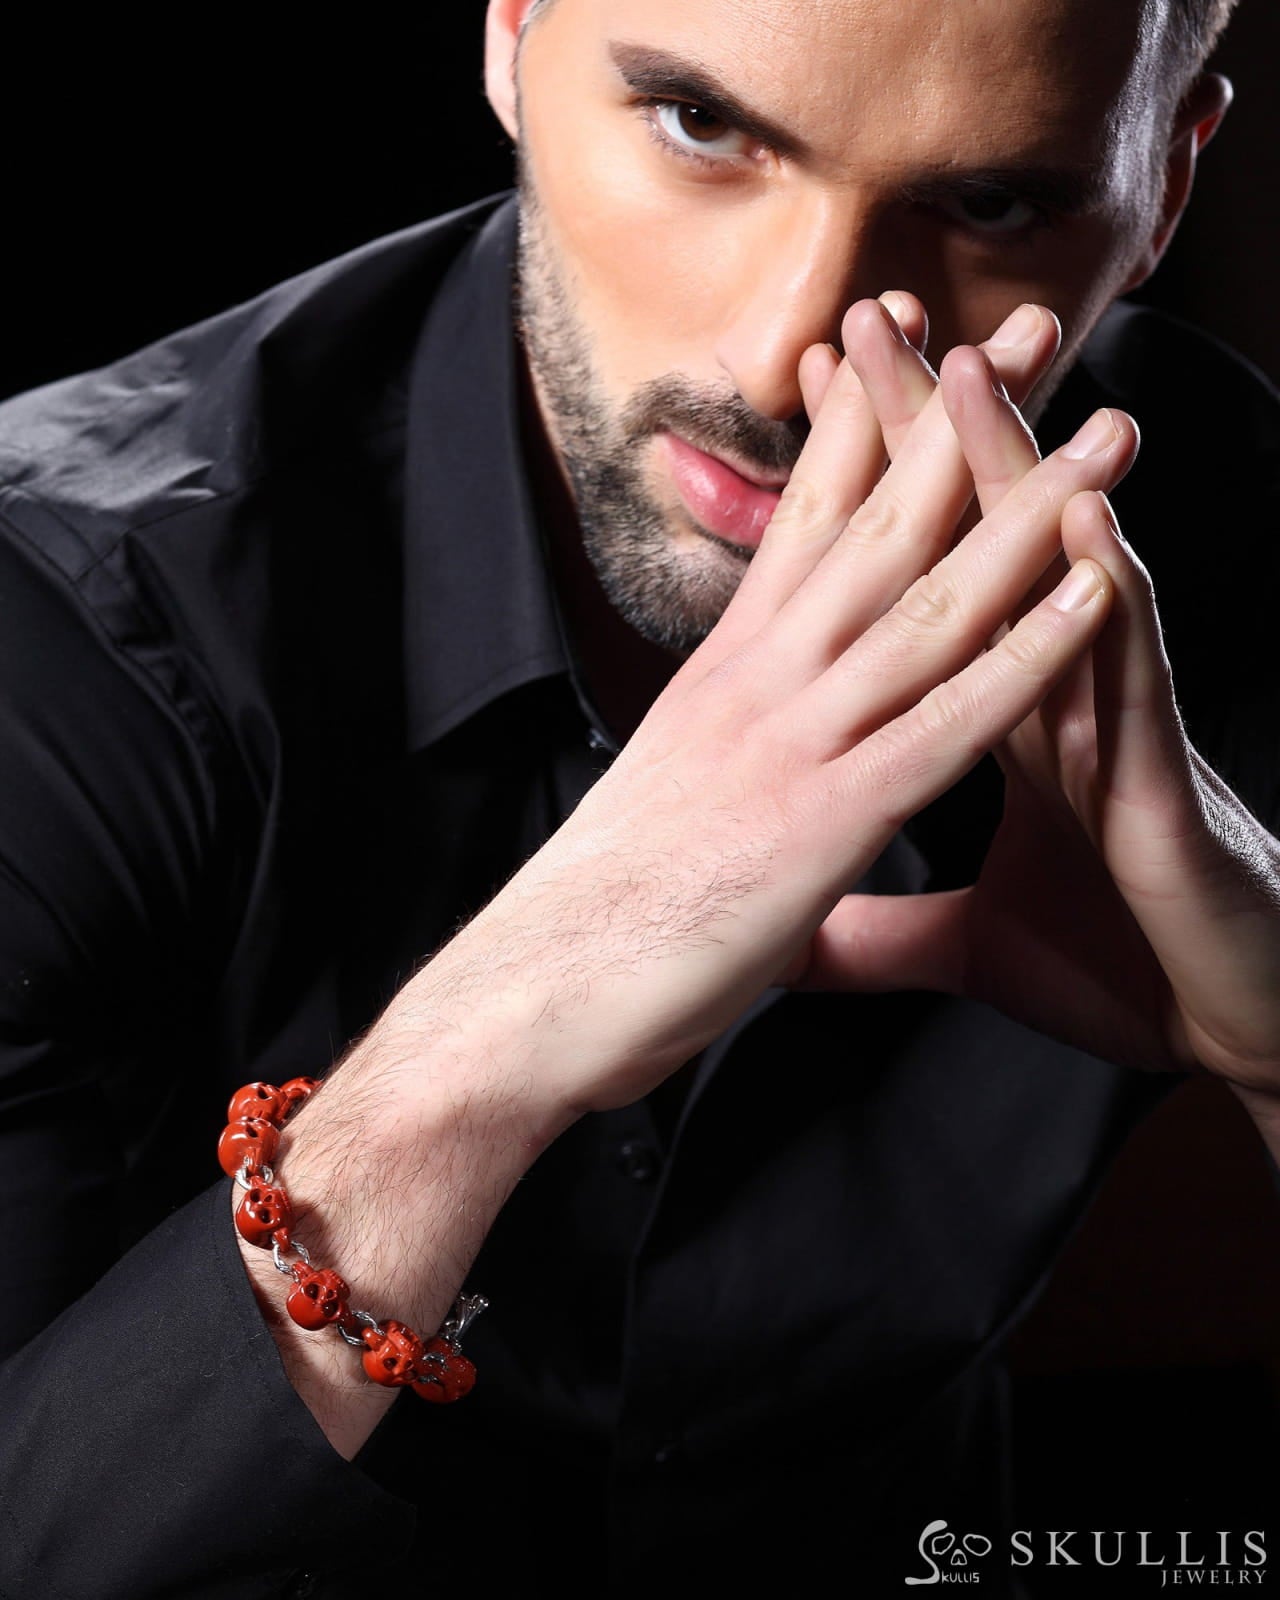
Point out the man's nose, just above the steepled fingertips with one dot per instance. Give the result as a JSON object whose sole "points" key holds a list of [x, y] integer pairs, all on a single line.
{"points": [[802, 268]]}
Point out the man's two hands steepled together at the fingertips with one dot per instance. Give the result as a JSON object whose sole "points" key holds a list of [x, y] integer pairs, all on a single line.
{"points": [[1130, 903]]}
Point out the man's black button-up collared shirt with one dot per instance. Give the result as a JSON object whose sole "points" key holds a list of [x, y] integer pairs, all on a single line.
{"points": [[289, 698]]}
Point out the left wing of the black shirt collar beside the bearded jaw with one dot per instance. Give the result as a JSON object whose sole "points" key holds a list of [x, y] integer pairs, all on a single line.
{"points": [[481, 614]]}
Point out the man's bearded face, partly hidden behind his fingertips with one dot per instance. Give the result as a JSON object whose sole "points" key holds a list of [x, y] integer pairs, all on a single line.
{"points": [[708, 185]]}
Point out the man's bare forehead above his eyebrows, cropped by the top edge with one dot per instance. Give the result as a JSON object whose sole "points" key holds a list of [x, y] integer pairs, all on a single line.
{"points": [[926, 78]]}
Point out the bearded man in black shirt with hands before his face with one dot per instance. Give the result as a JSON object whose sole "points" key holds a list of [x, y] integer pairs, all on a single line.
{"points": [[366, 607]]}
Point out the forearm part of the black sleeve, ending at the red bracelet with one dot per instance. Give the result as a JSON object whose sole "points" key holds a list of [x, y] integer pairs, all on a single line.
{"points": [[154, 1444]]}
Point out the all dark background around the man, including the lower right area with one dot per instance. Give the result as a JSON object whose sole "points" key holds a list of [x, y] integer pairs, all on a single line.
{"points": [[154, 177]]}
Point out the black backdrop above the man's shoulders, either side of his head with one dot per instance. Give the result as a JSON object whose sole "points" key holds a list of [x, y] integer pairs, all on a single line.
{"points": [[154, 175]]}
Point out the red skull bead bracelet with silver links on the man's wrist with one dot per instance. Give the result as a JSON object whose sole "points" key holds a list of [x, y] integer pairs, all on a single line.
{"points": [[393, 1353]]}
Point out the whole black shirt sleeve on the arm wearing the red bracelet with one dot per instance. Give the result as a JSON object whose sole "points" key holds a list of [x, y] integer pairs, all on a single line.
{"points": [[150, 1439]]}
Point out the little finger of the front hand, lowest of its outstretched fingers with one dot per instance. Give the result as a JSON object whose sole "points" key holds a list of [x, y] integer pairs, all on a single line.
{"points": [[921, 754]]}
